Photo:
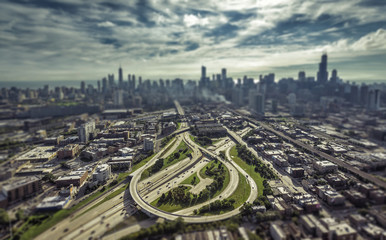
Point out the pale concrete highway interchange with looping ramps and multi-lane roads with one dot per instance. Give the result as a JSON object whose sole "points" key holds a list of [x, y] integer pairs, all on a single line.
{"points": [[93, 222]]}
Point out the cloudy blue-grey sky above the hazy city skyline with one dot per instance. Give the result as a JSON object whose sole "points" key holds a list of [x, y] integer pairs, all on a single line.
{"points": [[65, 40]]}
